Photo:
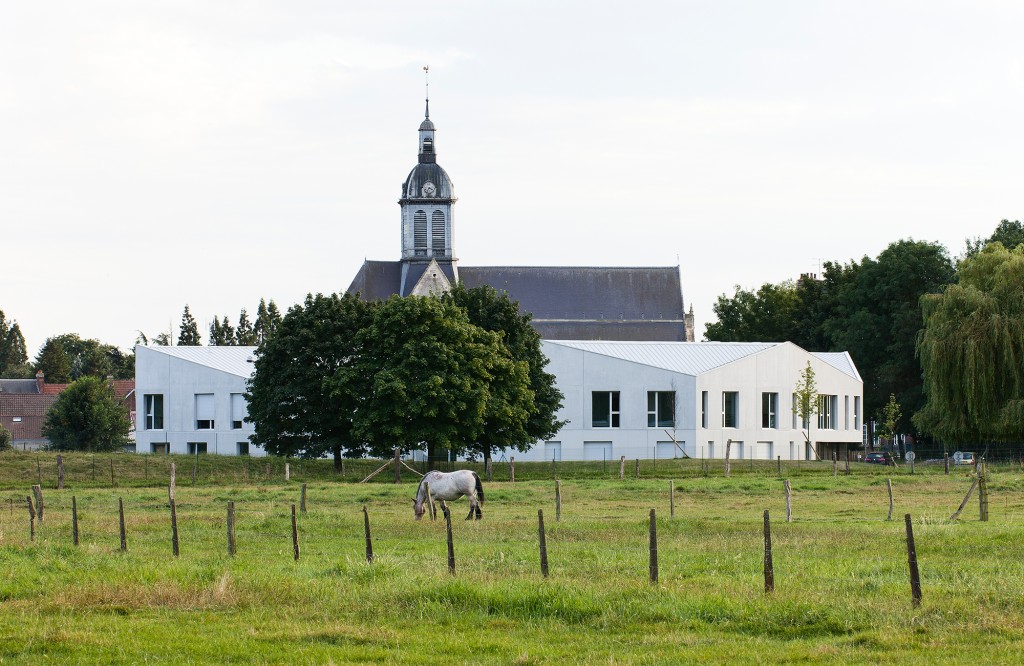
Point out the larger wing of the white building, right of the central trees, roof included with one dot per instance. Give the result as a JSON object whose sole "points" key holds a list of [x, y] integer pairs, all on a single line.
{"points": [[720, 392]]}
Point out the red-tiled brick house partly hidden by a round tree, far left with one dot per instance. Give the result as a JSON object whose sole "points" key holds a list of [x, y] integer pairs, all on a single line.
{"points": [[24, 404]]}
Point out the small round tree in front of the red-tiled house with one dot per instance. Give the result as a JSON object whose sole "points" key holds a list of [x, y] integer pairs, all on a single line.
{"points": [[88, 417]]}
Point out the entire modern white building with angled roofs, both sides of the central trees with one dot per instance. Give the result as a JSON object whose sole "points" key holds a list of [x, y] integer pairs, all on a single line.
{"points": [[638, 400]]}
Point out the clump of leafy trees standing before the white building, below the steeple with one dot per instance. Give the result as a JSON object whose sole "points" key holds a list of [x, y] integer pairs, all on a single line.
{"points": [[461, 373]]}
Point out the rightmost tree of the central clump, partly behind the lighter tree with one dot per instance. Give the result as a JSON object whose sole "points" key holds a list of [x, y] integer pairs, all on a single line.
{"points": [[504, 427]]}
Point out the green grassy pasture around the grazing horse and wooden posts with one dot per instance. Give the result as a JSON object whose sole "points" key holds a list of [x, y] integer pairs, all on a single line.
{"points": [[842, 588]]}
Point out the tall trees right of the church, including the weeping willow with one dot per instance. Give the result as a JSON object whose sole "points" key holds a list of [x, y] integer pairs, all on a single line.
{"points": [[887, 312]]}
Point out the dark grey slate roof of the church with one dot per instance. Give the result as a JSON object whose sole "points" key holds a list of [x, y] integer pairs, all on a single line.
{"points": [[568, 303]]}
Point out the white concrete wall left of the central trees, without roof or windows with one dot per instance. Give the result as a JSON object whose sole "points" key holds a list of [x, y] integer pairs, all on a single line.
{"points": [[180, 382]]}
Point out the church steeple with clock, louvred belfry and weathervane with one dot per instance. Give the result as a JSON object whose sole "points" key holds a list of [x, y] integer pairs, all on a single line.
{"points": [[426, 201]]}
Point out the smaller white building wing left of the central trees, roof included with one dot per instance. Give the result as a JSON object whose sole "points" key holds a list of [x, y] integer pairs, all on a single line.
{"points": [[191, 399]]}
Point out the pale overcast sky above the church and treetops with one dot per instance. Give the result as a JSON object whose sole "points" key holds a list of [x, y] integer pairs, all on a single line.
{"points": [[157, 154]]}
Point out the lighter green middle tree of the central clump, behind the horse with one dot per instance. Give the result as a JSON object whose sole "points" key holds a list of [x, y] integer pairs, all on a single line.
{"points": [[432, 373]]}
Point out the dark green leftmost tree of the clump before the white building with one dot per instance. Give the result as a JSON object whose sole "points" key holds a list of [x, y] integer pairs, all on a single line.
{"points": [[300, 405]]}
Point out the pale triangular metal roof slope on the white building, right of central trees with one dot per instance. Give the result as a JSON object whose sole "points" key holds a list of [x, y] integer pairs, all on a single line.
{"points": [[685, 358]]}
